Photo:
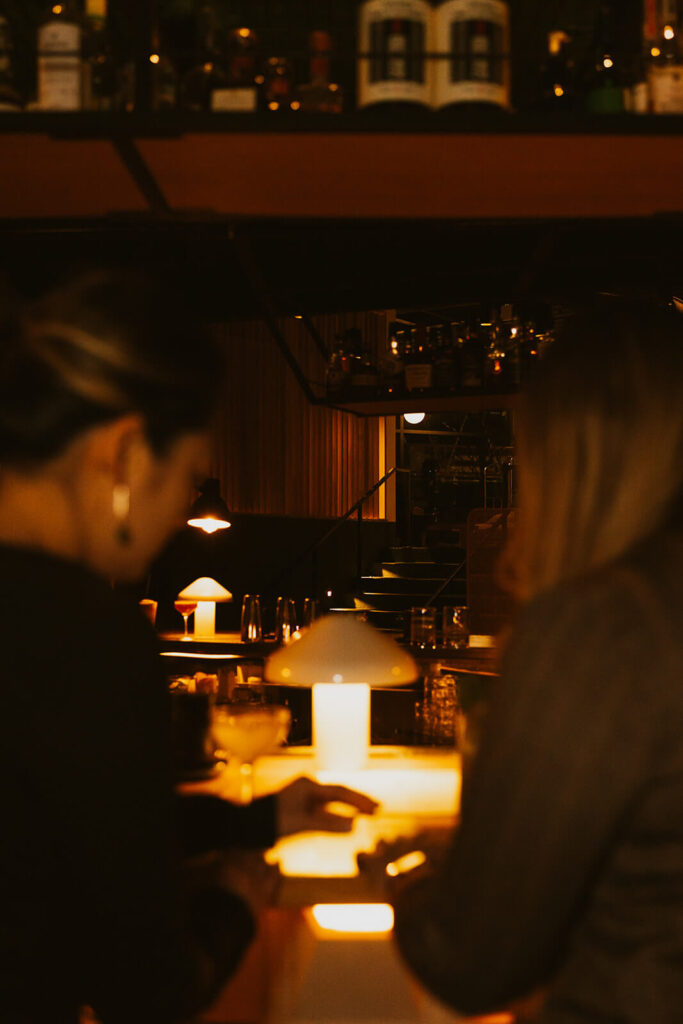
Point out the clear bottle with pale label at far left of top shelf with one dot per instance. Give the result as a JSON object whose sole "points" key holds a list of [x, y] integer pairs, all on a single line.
{"points": [[60, 69]]}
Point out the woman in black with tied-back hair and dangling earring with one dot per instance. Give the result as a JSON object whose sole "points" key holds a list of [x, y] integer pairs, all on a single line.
{"points": [[107, 389]]}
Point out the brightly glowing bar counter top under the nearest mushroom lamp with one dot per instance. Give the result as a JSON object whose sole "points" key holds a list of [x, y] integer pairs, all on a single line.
{"points": [[418, 790]]}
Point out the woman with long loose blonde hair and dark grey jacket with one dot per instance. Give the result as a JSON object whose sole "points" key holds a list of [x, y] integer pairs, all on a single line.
{"points": [[566, 875]]}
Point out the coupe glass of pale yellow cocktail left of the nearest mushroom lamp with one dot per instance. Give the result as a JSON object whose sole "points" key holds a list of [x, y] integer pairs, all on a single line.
{"points": [[243, 733]]}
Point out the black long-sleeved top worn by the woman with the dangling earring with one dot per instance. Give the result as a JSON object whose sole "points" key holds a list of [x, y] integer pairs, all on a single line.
{"points": [[92, 833]]}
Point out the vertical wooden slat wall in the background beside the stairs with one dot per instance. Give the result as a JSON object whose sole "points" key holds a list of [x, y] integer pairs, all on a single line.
{"points": [[275, 453]]}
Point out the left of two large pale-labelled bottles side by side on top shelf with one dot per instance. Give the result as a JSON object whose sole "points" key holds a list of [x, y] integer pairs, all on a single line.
{"points": [[394, 40]]}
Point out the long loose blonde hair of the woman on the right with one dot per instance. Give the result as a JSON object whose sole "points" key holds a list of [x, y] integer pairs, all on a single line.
{"points": [[601, 445]]}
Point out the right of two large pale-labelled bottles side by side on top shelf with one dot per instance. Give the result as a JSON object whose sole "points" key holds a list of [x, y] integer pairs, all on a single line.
{"points": [[473, 38]]}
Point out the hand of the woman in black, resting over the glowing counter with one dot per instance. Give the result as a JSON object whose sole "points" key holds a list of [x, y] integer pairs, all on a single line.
{"points": [[305, 806]]}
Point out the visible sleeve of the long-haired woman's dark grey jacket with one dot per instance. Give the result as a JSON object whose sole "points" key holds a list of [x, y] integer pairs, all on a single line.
{"points": [[568, 747]]}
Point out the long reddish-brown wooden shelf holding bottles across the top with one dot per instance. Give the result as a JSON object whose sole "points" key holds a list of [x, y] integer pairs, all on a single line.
{"points": [[358, 166]]}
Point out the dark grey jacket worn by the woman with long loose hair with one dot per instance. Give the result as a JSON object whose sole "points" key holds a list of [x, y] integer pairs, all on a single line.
{"points": [[568, 869]]}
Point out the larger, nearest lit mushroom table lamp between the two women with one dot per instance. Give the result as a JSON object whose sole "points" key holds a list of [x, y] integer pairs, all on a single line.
{"points": [[341, 658]]}
